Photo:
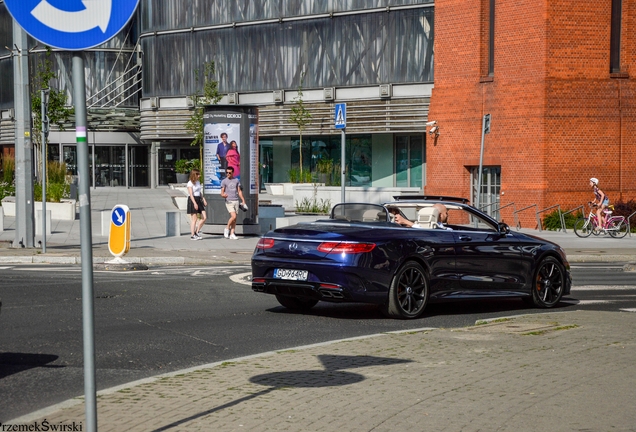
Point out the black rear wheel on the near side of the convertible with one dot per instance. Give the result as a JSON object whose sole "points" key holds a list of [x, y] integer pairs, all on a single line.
{"points": [[408, 293]]}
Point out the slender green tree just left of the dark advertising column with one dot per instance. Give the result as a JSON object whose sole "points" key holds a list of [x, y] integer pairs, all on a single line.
{"points": [[208, 95]]}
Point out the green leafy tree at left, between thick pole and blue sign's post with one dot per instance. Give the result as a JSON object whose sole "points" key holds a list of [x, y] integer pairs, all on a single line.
{"points": [[59, 112]]}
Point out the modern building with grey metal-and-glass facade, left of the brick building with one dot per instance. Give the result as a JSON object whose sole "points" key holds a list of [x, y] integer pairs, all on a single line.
{"points": [[376, 56]]}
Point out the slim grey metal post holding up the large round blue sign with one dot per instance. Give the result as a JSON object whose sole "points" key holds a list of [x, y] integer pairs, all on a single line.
{"points": [[88, 312]]}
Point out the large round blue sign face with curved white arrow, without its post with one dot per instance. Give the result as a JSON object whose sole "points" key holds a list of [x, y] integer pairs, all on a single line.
{"points": [[72, 25]]}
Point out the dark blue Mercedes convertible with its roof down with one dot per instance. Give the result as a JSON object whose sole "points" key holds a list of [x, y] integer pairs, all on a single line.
{"points": [[360, 254]]}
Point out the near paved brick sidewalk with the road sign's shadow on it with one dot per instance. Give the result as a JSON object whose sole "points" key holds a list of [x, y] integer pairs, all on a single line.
{"points": [[567, 371]]}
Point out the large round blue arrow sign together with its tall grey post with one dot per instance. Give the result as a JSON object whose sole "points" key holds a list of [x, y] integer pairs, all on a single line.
{"points": [[80, 25]]}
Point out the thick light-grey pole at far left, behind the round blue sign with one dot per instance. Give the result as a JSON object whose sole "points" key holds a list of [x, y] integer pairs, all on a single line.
{"points": [[24, 221]]}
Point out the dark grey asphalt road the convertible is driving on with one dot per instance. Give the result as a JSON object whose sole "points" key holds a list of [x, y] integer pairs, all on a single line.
{"points": [[167, 319]]}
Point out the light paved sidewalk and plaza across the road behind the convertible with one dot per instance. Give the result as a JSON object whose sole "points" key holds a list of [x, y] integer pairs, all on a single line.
{"points": [[149, 245]]}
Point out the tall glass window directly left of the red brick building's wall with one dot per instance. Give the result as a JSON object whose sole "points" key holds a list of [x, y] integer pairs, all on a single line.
{"points": [[409, 161]]}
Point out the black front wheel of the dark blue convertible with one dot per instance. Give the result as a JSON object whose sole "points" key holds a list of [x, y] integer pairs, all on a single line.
{"points": [[549, 283]]}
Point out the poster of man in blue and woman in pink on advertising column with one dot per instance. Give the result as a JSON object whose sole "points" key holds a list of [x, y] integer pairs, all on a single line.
{"points": [[221, 148]]}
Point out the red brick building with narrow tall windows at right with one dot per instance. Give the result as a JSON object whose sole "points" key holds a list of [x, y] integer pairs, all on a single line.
{"points": [[557, 78]]}
